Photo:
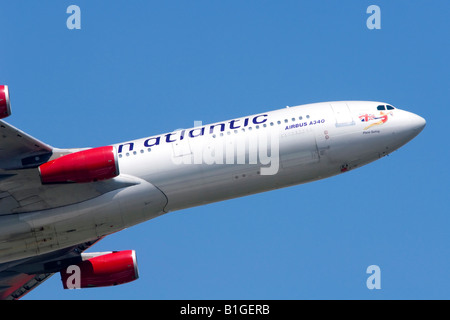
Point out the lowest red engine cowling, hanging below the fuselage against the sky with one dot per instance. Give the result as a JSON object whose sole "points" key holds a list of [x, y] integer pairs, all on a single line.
{"points": [[102, 271]]}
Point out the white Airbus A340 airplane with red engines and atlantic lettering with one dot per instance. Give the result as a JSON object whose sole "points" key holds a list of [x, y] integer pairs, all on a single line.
{"points": [[57, 203]]}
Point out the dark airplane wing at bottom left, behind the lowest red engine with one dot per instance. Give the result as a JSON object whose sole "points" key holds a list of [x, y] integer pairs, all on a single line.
{"points": [[17, 278]]}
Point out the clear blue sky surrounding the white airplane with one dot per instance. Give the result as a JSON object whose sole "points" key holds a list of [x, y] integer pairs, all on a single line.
{"points": [[141, 68]]}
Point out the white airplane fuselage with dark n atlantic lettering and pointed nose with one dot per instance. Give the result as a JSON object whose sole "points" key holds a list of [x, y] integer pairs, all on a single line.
{"points": [[209, 163]]}
